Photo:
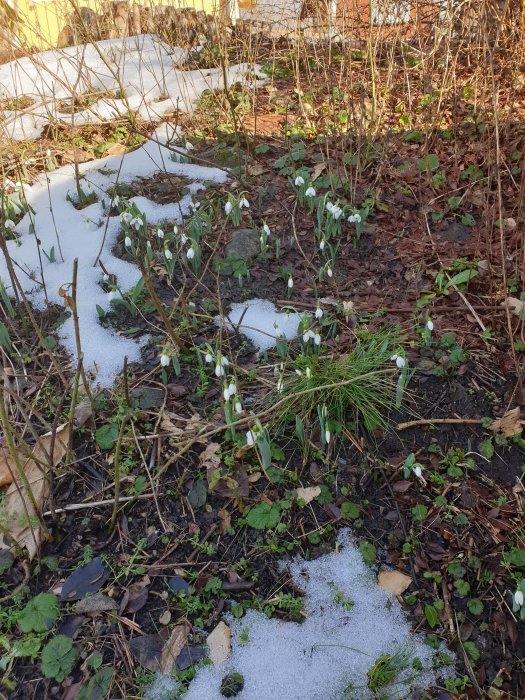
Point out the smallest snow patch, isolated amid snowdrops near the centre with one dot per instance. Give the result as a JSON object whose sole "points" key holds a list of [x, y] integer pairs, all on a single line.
{"points": [[261, 322]]}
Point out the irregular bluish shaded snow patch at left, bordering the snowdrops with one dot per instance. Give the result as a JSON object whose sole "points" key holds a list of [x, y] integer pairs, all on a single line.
{"points": [[53, 222]]}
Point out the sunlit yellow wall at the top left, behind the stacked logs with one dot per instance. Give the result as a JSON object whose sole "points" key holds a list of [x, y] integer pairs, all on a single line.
{"points": [[42, 20]]}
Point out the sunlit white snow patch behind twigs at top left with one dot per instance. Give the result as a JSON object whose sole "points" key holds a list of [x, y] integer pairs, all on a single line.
{"points": [[138, 75]]}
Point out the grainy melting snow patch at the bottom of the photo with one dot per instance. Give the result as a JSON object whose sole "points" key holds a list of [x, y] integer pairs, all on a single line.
{"points": [[328, 656]]}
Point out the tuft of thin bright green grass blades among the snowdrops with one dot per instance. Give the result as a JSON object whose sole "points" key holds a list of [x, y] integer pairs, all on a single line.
{"points": [[357, 388]]}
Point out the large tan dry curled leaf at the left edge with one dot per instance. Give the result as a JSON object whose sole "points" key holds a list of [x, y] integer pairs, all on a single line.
{"points": [[22, 521]]}
